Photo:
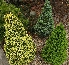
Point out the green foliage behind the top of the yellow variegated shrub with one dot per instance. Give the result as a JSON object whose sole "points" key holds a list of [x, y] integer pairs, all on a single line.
{"points": [[6, 8]]}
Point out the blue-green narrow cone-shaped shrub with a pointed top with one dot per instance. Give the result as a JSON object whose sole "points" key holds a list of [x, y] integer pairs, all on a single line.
{"points": [[44, 25]]}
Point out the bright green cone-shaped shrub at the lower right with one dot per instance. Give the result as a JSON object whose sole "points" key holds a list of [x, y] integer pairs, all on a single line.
{"points": [[54, 51]]}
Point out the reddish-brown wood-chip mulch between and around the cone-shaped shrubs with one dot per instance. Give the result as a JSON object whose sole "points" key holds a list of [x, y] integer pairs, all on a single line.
{"points": [[60, 14]]}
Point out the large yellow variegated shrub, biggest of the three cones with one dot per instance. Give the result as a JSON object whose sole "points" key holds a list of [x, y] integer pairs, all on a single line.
{"points": [[19, 47]]}
